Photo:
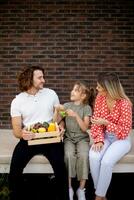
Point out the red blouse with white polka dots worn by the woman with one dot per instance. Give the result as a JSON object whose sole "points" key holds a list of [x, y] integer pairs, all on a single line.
{"points": [[120, 119]]}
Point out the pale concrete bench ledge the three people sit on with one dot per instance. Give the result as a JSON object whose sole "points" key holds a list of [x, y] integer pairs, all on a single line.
{"points": [[39, 163]]}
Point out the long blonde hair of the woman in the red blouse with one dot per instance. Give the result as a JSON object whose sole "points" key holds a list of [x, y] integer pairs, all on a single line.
{"points": [[111, 84]]}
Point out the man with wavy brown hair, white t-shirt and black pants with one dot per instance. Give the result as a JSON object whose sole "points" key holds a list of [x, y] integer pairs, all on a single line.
{"points": [[34, 104]]}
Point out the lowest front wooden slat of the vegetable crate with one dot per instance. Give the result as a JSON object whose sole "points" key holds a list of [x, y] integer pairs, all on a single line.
{"points": [[44, 141]]}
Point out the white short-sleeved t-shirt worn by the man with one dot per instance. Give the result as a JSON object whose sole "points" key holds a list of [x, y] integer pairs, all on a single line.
{"points": [[34, 108]]}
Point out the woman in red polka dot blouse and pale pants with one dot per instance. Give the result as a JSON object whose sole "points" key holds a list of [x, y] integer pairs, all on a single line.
{"points": [[111, 125]]}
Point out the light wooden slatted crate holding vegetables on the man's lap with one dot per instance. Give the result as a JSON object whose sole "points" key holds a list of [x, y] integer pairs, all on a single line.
{"points": [[46, 137]]}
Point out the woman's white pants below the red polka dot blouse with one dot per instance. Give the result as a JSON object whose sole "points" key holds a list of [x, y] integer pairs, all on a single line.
{"points": [[101, 163]]}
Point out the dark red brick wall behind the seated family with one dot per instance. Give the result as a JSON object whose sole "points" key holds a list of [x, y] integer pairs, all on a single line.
{"points": [[73, 40]]}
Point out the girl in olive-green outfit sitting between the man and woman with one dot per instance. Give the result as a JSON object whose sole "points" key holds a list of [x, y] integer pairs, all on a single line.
{"points": [[76, 140]]}
